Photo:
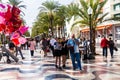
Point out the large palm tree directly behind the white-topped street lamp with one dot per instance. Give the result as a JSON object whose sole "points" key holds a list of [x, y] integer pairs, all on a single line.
{"points": [[96, 17]]}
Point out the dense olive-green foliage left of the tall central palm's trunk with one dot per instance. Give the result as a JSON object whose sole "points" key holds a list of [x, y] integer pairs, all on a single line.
{"points": [[41, 25]]}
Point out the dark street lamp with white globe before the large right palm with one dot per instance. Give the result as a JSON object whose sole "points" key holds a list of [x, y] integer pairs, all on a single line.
{"points": [[91, 54]]}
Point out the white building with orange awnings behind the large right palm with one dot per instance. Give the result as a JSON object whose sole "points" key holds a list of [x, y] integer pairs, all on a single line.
{"points": [[108, 28]]}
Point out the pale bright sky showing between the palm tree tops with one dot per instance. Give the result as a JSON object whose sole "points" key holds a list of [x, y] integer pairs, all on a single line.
{"points": [[32, 10]]}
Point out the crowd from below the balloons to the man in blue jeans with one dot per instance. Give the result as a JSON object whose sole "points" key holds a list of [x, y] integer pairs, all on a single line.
{"points": [[59, 47]]}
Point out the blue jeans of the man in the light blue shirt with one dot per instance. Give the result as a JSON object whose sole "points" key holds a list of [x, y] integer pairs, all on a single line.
{"points": [[76, 57]]}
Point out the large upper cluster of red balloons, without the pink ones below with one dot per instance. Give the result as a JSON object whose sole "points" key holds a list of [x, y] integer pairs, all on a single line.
{"points": [[10, 18]]}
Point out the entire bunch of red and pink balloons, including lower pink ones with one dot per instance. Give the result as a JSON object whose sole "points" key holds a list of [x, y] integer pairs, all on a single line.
{"points": [[10, 23]]}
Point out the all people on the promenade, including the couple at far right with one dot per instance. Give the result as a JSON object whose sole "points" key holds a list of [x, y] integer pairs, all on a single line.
{"points": [[62, 48]]}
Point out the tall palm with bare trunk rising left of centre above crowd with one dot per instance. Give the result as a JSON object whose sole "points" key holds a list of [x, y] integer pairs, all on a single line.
{"points": [[50, 8]]}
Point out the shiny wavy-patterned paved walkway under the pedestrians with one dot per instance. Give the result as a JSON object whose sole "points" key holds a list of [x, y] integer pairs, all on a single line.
{"points": [[40, 68]]}
